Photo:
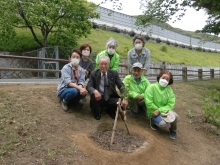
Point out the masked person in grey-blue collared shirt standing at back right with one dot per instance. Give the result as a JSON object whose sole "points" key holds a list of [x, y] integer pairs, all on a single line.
{"points": [[139, 54]]}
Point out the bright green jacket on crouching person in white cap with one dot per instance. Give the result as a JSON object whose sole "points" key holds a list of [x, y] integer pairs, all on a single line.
{"points": [[133, 88]]}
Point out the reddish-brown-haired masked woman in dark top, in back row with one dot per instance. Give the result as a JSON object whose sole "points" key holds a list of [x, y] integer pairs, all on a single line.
{"points": [[85, 62]]}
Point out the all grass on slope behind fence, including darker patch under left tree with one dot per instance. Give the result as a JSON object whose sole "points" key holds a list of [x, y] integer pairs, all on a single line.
{"points": [[97, 39]]}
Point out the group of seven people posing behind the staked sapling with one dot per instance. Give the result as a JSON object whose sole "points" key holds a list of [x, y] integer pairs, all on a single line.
{"points": [[143, 98]]}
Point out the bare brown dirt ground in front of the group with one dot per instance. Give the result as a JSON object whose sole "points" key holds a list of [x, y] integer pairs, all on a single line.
{"points": [[34, 130]]}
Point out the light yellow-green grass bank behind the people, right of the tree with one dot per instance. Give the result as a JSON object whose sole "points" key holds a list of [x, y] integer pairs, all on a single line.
{"points": [[97, 39]]}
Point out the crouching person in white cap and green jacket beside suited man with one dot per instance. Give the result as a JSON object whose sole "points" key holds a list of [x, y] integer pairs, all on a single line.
{"points": [[135, 85]]}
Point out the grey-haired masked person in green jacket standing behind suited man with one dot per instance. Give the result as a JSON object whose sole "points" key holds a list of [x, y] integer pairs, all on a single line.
{"points": [[111, 46]]}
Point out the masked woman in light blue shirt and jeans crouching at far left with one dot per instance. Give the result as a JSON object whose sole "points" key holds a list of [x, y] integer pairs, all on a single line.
{"points": [[71, 86]]}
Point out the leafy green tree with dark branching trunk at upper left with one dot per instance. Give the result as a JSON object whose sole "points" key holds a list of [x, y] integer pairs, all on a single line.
{"points": [[63, 21]]}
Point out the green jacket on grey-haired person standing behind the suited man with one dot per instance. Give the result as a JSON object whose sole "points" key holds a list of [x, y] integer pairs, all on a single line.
{"points": [[114, 62]]}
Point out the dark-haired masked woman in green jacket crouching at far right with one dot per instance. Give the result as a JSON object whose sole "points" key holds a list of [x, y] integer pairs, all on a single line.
{"points": [[160, 101]]}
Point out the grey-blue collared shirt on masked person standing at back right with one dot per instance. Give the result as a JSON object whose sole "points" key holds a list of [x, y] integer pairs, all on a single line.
{"points": [[143, 58]]}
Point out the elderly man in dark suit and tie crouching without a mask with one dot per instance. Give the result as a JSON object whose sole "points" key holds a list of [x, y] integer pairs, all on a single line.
{"points": [[101, 87]]}
